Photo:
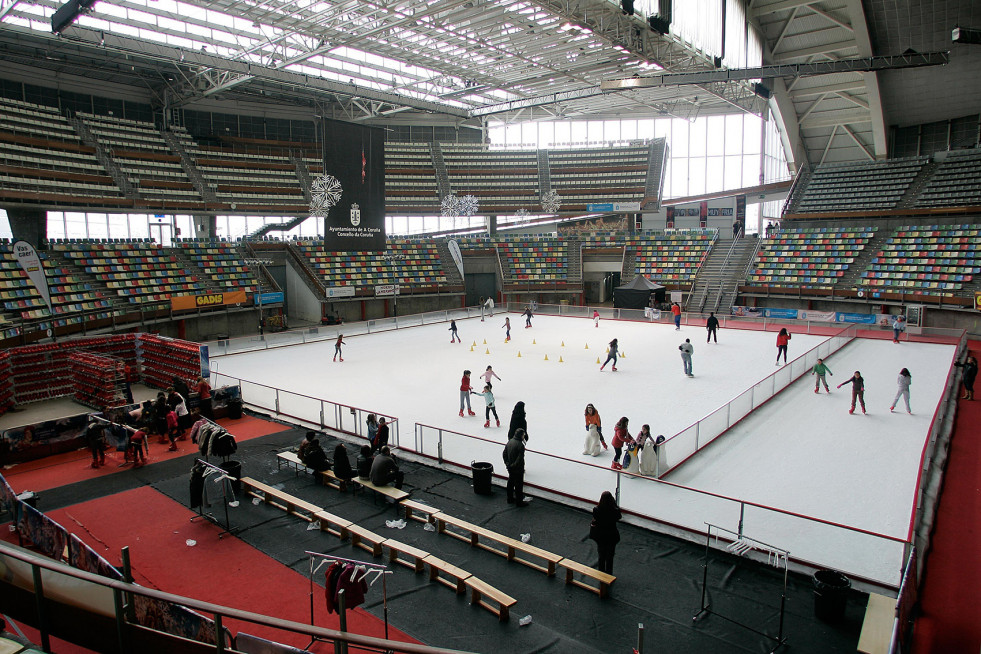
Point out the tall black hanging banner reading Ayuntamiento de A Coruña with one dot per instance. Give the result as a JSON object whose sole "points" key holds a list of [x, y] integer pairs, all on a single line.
{"points": [[355, 156]]}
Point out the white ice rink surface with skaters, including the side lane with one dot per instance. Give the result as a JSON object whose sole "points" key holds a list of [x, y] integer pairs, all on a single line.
{"points": [[799, 452]]}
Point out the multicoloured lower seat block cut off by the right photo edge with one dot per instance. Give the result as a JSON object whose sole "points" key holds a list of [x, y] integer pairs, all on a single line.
{"points": [[930, 260]]}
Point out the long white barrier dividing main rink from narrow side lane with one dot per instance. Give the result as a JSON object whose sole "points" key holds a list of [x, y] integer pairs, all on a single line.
{"points": [[682, 446]]}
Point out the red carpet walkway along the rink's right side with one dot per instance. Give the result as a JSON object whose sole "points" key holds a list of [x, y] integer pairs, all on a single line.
{"points": [[951, 592]]}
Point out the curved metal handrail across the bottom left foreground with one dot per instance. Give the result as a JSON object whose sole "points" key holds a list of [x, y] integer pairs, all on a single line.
{"points": [[210, 608]]}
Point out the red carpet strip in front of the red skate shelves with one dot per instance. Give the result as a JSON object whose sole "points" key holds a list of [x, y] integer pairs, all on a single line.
{"points": [[70, 467]]}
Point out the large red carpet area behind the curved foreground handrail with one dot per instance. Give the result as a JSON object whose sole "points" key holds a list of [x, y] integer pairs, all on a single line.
{"points": [[225, 571]]}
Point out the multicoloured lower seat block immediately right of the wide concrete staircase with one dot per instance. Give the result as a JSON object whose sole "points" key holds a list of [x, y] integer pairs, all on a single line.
{"points": [[814, 257]]}
